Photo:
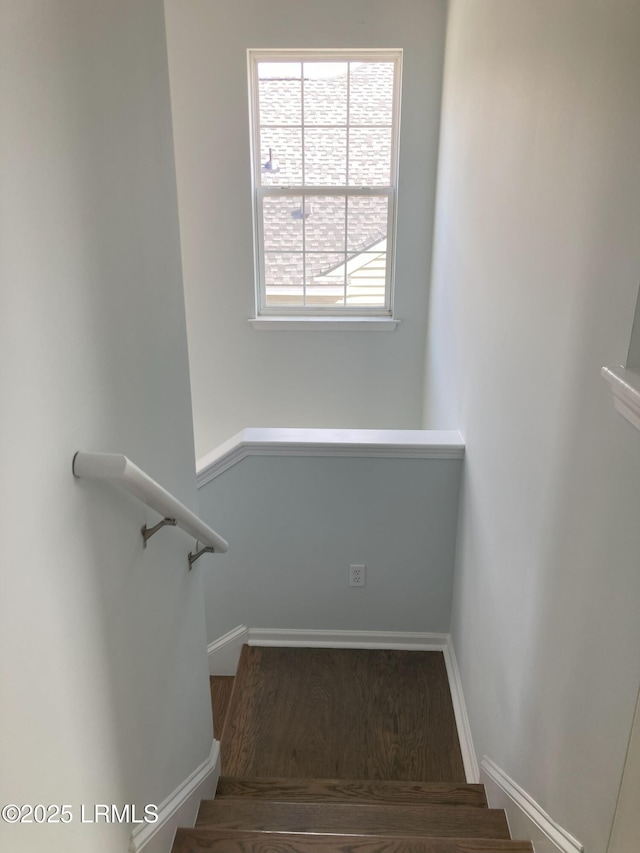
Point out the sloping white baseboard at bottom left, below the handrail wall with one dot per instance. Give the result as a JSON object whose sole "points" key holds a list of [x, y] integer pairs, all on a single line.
{"points": [[180, 808]]}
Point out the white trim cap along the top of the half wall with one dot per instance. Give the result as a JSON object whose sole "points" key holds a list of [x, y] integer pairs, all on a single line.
{"points": [[386, 443]]}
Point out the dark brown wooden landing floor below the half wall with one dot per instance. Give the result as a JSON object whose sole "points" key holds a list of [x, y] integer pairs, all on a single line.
{"points": [[342, 714]]}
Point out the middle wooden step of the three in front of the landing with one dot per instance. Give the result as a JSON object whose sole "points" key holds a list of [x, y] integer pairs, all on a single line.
{"points": [[353, 818]]}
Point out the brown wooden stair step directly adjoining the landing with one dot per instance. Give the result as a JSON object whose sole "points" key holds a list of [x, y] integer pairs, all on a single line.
{"points": [[352, 791]]}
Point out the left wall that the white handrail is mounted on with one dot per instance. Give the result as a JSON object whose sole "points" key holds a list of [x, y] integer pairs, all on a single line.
{"points": [[104, 695]]}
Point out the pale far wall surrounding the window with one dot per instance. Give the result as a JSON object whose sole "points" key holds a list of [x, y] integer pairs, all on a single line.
{"points": [[241, 377]]}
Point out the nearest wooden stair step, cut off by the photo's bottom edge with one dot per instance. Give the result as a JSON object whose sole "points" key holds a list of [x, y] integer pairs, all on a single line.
{"points": [[202, 840]]}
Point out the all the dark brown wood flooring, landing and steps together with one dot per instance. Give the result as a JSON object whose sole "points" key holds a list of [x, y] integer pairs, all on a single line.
{"points": [[341, 751]]}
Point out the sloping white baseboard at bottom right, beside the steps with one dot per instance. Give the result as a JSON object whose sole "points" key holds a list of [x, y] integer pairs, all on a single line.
{"points": [[526, 818]]}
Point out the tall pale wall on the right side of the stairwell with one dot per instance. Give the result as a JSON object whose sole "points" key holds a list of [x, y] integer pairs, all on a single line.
{"points": [[535, 278]]}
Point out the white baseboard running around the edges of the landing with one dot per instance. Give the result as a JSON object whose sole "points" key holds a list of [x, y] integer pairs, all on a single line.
{"points": [[224, 654]]}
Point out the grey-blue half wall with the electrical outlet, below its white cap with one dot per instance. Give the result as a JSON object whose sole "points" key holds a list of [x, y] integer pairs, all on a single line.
{"points": [[295, 525]]}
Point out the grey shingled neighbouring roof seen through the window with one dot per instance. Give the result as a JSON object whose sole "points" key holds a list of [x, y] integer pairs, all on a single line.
{"points": [[324, 132]]}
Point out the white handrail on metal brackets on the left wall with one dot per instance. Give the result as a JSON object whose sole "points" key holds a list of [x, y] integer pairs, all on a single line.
{"points": [[121, 471]]}
